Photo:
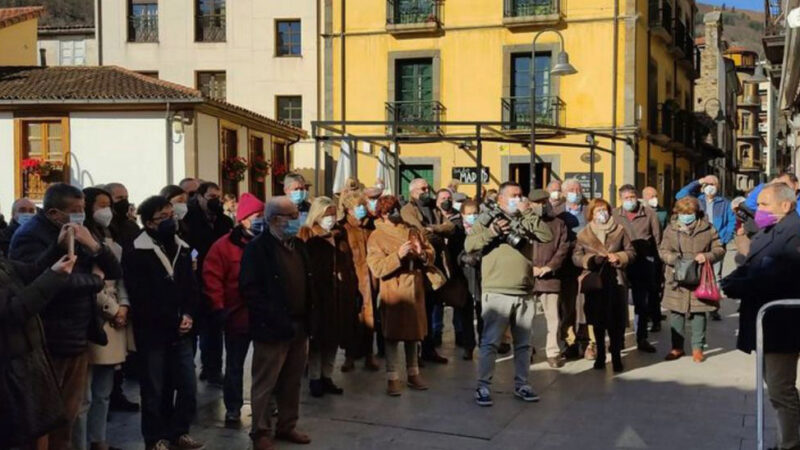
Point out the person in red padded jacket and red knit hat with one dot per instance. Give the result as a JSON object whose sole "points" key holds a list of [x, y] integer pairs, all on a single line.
{"points": [[221, 279]]}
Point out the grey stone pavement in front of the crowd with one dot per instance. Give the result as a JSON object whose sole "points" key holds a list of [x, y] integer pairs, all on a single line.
{"points": [[654, 404]]}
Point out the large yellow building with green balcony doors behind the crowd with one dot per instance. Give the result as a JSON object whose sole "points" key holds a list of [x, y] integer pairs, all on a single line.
{"points": [[470, 60]]}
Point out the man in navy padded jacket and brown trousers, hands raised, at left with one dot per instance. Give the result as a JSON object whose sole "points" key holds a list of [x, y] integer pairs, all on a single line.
{"points": [[70, 320]]}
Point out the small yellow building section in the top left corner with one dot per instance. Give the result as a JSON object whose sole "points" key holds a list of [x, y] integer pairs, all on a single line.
{"points": [[18, 35]]}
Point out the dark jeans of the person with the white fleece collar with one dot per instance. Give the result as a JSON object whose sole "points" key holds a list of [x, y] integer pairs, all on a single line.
{"points": [[168, 390]]}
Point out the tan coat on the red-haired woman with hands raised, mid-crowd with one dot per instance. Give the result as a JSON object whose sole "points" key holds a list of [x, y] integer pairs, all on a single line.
{"points": [[402, 282]]}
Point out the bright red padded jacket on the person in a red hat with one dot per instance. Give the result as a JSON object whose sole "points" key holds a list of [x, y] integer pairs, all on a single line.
{"points": [[221, 280]]}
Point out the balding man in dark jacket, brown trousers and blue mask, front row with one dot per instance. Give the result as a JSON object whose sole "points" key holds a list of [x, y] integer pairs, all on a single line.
{"points": [[276, 284]]}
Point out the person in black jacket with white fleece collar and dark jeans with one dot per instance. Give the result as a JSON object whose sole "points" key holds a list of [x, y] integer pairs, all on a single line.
{"points": [[163, 295]]}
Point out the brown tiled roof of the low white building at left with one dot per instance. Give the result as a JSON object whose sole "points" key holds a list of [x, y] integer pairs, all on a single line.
{"points": [[105, 85]]}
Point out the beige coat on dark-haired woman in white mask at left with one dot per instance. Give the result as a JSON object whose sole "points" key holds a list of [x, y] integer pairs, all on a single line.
{"points": [[109, 300]]}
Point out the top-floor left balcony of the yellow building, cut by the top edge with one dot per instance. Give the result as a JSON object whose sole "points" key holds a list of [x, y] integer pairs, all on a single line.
{"points": [[413, 16]]}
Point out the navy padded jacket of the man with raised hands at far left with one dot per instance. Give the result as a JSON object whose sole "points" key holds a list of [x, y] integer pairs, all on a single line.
{"points": [[70, 320]]}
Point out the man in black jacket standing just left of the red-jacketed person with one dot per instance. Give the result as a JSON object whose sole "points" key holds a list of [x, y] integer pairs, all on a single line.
{"points": [[206, 223]]}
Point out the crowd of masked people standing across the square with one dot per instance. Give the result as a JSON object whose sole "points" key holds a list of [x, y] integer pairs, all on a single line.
{"points": [[90, 285]]}
